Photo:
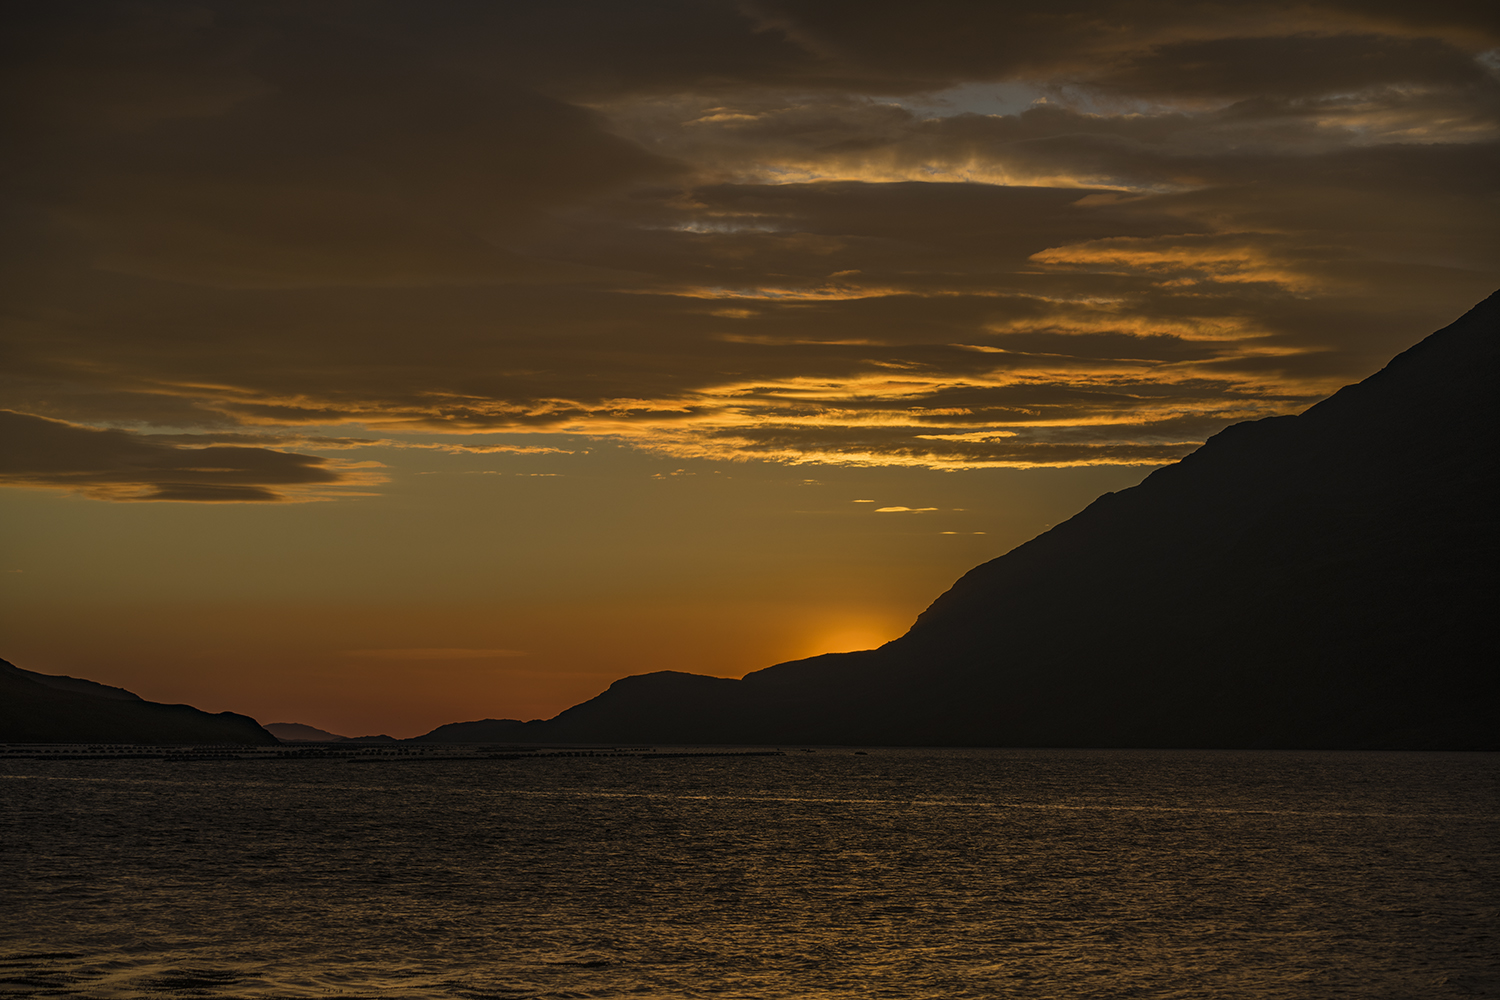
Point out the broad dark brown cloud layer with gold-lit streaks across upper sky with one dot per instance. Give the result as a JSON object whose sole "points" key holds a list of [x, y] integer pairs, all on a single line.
{"points": [[997, 235]]}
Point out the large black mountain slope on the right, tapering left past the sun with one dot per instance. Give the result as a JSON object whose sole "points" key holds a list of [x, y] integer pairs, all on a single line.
{"points": [[1325, 581]]}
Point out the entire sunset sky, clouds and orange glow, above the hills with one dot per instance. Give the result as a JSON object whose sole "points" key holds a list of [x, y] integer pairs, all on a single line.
{"points": [[379, 365]]}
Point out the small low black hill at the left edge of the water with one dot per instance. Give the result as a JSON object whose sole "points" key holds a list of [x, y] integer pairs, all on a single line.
{"points": [[43, 708]]}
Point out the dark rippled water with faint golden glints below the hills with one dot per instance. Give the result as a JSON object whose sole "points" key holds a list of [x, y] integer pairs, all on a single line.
{"points": [[898, 873]]}
